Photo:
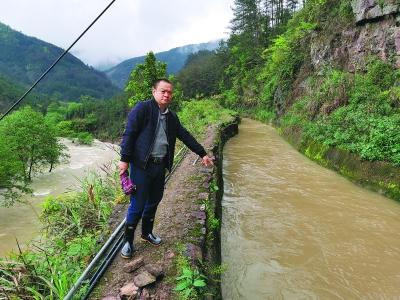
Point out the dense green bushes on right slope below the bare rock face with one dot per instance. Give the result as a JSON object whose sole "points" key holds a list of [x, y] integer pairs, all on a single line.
{"points": [[366, 117]]}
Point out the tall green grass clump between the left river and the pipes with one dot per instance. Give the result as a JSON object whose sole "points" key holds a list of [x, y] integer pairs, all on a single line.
{"points": [[72, 224]]}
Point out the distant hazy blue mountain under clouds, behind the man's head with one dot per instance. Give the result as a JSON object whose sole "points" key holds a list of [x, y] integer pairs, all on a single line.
{"points": [[175, 59]]}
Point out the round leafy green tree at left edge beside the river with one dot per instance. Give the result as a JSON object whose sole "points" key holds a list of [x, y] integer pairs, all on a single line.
{"points": [[28, 143]]}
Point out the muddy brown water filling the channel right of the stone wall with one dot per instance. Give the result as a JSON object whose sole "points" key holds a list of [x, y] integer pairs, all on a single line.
{"points": [[294, 230]]}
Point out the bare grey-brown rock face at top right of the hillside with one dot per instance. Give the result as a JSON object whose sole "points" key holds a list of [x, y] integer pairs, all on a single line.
{"points": [[377, 33]]}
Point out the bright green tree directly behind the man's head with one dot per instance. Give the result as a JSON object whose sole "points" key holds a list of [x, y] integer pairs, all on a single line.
{"points": [[142, 77]]}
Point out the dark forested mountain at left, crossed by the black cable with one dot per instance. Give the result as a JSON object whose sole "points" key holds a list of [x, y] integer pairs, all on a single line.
{"points": [[23, 59]]}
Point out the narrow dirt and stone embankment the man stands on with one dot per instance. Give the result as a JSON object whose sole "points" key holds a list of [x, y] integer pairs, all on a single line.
{"points": [[190, 200]]}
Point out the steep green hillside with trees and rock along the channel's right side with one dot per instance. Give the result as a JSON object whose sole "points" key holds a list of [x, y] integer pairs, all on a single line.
{"points": [[325, 72]]}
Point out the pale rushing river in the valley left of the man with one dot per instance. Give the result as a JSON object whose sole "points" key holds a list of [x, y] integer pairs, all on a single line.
{"points": [[21, 220]]}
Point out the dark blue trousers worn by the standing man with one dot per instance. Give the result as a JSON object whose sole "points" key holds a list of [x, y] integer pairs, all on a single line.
{"points": [[149, 192]]}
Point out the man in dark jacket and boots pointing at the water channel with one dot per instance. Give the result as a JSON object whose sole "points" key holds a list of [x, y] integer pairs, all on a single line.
{"points": [[148, 145]]}
